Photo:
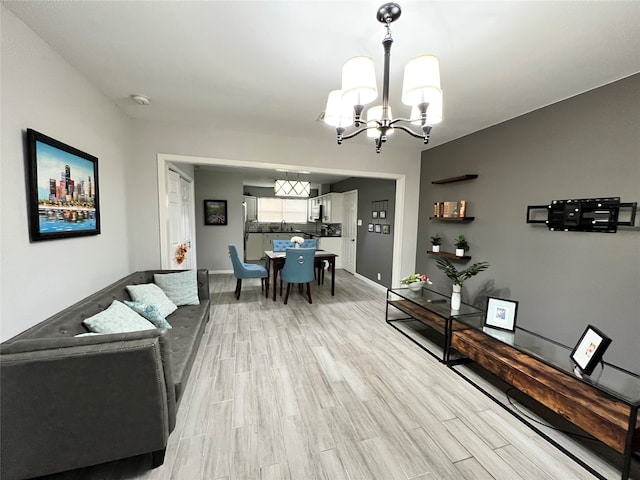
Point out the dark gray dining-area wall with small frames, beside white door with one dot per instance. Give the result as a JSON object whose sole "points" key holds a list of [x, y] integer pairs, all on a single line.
{"points": [[374, 253]]}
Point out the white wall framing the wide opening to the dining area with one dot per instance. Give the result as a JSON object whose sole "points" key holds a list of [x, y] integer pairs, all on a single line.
{"points": [[212, 143]]}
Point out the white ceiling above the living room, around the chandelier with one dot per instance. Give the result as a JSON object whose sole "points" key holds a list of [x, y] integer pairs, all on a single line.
{"points": [[267, 66]]}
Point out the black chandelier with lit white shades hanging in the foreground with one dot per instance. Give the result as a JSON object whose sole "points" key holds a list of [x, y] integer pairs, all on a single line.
{"points": [[420, 90]]}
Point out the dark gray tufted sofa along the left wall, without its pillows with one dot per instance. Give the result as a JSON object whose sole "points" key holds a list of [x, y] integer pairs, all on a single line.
{"points": [[69, 402]]}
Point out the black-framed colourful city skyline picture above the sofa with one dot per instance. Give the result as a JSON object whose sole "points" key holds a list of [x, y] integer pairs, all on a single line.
{"points": [[63, 193]]}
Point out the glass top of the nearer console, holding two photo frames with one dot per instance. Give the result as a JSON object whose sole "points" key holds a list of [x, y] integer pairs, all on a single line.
{"points": [[606, 377]]}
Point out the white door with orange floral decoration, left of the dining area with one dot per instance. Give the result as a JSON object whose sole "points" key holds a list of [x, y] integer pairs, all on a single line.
{"points": [[180, 225]]}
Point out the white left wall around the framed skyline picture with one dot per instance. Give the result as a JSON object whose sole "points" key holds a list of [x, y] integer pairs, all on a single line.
{"points": [[40, 90]]}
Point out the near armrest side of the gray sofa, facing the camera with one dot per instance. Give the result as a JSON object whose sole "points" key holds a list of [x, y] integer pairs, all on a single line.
{"points": [[72, 402]]}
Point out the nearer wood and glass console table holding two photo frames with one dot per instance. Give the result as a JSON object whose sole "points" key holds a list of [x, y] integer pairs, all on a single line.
{"points": [[605, 405]]}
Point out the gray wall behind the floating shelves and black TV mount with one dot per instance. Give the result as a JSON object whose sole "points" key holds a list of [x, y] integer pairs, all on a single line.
{"points": [[586, 146]]}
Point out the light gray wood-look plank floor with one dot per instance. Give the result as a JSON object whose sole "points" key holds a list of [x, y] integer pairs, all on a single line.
{"points": [[329, 391]]}
